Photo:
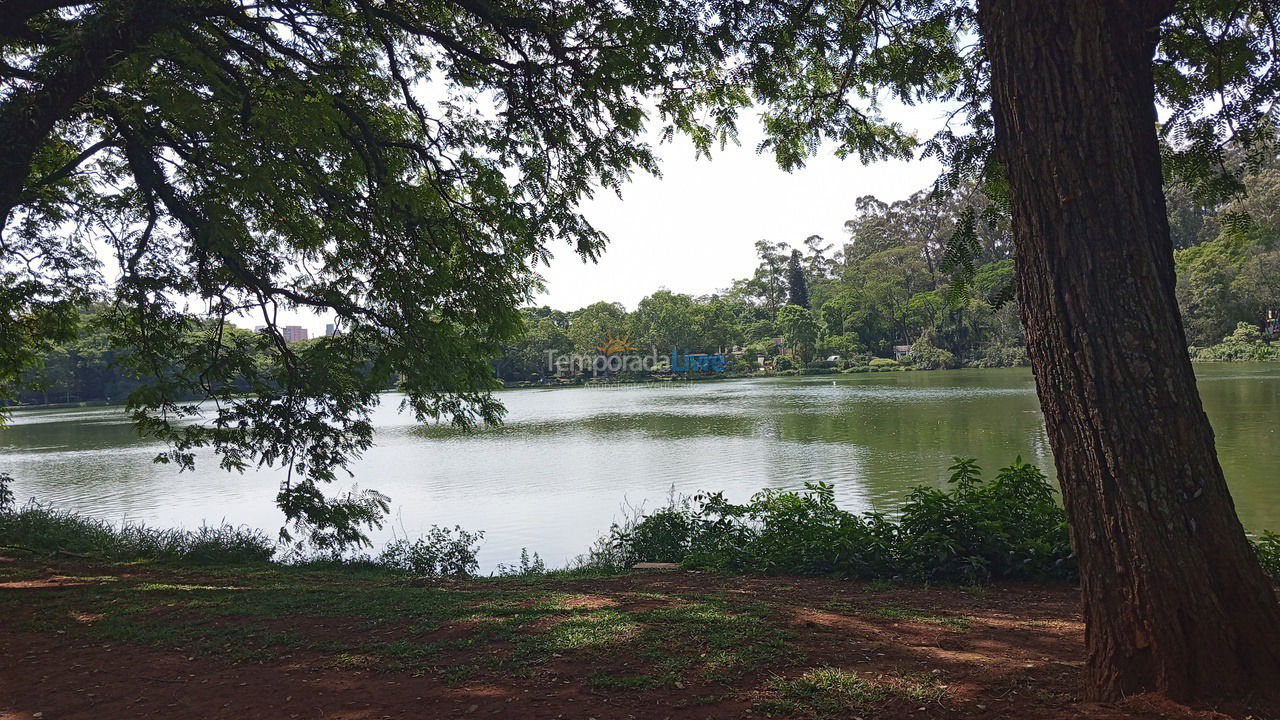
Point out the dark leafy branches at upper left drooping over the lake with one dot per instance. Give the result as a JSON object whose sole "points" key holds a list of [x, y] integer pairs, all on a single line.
{"points": [[403, 167]]}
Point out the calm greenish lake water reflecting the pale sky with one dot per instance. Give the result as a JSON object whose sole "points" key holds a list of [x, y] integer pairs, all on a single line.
{"points": [[570, 461]]}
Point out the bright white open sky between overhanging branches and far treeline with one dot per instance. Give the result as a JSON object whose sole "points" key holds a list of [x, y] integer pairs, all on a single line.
{"points": [[694, 229]]}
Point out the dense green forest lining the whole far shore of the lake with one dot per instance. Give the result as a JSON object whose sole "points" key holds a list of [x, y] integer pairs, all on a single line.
{"points": [[888, 284]]}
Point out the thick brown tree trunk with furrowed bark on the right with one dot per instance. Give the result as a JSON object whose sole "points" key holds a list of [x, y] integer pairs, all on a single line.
{"points": [[1174, 599]]}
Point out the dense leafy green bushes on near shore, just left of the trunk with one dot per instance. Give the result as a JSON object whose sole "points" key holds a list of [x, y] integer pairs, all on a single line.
{"points": [[976, 531]]}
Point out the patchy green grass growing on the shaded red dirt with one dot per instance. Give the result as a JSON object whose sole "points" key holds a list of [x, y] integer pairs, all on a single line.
{"points": [[390, 623]]}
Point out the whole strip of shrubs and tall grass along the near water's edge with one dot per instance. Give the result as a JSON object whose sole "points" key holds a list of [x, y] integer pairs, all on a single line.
{"points": [[973, 532]]}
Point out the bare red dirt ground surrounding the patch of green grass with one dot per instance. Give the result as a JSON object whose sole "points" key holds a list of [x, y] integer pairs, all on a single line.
{"points": [[1020, 658]]}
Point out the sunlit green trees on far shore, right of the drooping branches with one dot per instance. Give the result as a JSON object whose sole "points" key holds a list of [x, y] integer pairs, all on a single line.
{"points": [[888, 285]]}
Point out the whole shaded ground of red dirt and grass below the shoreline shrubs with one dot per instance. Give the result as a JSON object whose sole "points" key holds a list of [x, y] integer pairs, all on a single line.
{"points": [[93, 641]]}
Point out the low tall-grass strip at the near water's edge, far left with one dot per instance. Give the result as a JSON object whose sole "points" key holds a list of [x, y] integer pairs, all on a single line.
{"points": [[47, 531]]}
